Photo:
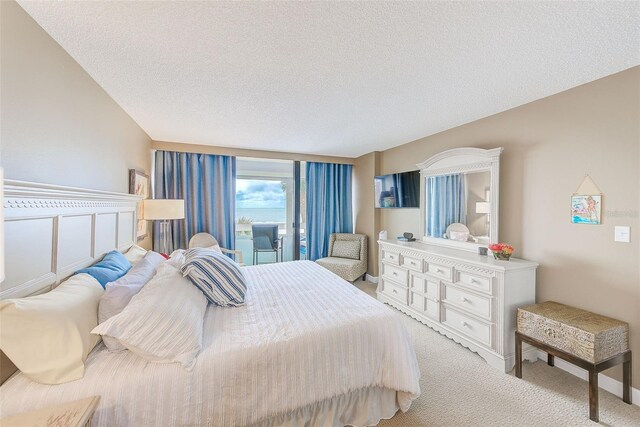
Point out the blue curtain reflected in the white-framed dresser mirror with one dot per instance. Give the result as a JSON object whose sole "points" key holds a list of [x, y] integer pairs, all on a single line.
{"points": [[445, 202]]}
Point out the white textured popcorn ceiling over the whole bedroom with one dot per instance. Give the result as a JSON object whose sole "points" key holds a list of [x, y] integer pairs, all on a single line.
{"points": [[339, 78]]}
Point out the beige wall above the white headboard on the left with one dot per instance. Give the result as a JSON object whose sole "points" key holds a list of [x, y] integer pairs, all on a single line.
{"points": [[58, 126]]}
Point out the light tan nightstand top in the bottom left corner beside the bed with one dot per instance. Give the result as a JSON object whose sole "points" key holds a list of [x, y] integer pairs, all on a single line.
{"points": [[73, 414]]}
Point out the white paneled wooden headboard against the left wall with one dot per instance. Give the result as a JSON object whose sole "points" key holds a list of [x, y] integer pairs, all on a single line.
{"points": [[51, 231]]}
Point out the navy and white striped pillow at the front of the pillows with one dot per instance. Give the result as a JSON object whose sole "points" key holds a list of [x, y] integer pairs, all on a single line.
{"points": [[216, 275]]}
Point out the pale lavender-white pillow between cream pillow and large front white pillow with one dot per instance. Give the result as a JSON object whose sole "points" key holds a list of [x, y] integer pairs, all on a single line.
{"points": [[118, 293]]}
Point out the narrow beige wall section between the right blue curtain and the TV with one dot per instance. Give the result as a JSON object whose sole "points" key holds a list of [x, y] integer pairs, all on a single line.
{"points": [[366, 219]]}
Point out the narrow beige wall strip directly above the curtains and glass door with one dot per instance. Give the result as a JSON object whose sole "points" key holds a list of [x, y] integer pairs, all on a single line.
{"points": [[261, 154]]}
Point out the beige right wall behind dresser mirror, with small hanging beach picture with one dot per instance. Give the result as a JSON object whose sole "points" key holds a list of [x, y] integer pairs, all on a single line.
{"points": [[549, 146]]}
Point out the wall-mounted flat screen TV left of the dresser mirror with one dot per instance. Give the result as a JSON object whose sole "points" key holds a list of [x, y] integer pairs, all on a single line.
{"points": [[398, 190]]}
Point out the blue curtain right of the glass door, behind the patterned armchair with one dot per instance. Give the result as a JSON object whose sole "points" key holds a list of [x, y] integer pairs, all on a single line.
{"points": [[328, 205]]}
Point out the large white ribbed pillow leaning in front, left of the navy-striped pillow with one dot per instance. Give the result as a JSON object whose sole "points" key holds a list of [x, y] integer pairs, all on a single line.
{"points": [[163, 322]]}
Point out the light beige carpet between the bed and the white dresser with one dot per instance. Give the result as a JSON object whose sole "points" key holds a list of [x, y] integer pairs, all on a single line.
{"points": [[460, 389]]}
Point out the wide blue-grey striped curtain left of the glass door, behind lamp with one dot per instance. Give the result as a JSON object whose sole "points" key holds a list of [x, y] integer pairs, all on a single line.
{"points": [[207, 183]]}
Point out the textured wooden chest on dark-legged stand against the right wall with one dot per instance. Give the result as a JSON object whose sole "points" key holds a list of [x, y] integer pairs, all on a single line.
{"points": [[588, 340]]}
